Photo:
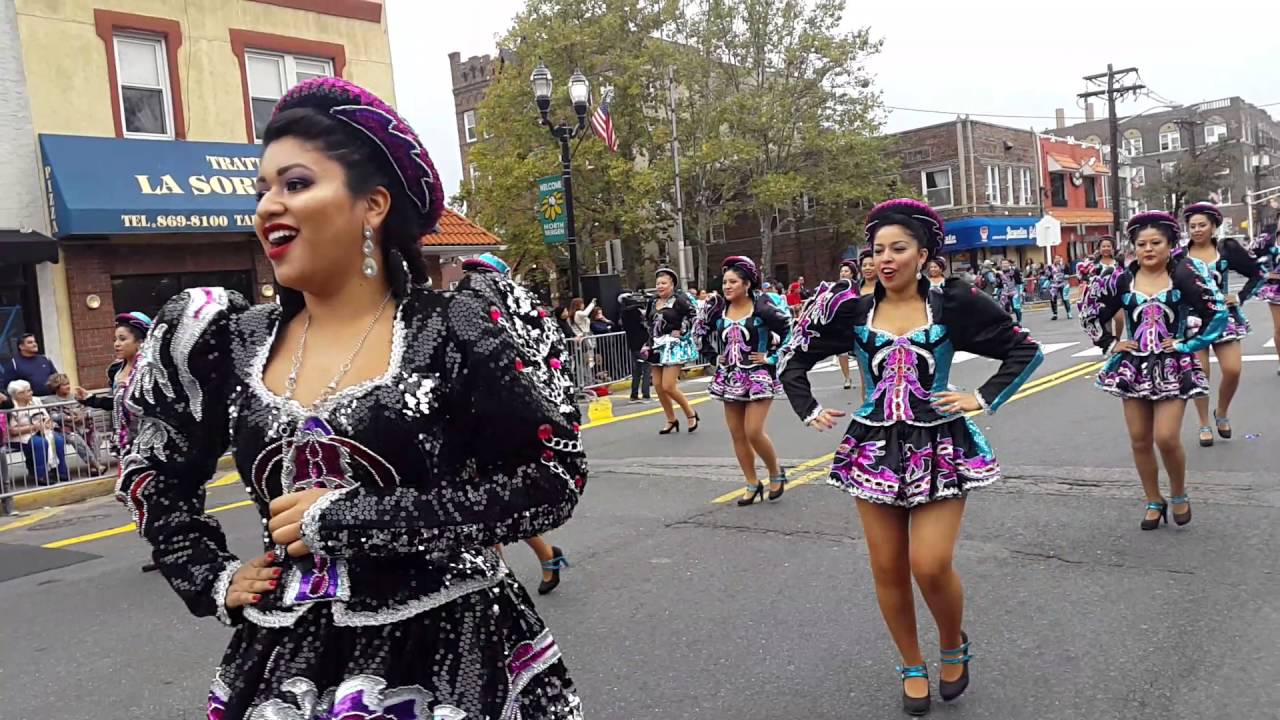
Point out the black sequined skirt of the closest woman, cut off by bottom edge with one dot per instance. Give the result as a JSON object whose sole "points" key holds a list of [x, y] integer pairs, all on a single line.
{"points": [[484, 655]]}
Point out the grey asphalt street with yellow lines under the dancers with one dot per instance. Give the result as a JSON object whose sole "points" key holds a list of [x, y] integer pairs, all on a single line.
{"points": [[682, 607]]}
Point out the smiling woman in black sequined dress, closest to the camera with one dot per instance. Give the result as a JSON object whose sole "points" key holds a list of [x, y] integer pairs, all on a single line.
{"points": [[390, 436]]}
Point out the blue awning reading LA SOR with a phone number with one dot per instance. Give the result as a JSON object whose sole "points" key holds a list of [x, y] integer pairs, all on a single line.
{"points": [[112, 186]]}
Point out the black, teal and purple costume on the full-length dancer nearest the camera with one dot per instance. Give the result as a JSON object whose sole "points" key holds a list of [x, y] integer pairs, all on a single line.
{"points": [[900, 450]]}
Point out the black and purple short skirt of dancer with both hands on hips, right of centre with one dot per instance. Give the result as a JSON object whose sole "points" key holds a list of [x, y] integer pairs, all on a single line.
{"points": [[909, 466]]}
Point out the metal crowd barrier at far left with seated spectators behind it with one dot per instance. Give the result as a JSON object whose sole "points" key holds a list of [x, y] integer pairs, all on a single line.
{"points": [[53, 444]]}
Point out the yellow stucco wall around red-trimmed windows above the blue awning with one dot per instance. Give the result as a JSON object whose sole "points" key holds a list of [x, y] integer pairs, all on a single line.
{"points": [[67, 74]]}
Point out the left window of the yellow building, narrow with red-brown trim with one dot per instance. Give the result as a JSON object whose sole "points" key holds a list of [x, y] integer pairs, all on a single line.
{"points": [[143, 72]]}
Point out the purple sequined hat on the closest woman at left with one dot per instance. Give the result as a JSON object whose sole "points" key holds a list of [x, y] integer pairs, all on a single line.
{"points": [[385, 127]]}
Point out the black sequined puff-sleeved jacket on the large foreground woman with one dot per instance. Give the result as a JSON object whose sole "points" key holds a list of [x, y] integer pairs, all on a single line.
{"points": [[469, 440]]}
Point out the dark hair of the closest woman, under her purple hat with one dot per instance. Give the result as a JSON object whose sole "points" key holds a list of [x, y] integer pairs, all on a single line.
{"points": [[367, 167]]}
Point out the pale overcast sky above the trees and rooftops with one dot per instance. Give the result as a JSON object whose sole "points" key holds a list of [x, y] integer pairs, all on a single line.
{"points": [[1000, 57]]}
